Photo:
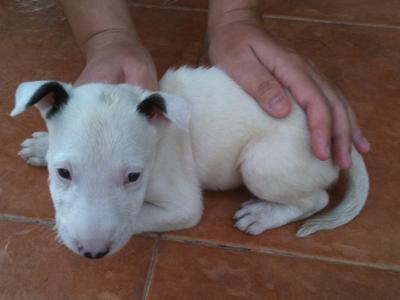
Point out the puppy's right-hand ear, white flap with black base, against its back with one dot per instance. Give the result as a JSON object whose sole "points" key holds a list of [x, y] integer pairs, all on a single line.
{"points": [[162, 105]]}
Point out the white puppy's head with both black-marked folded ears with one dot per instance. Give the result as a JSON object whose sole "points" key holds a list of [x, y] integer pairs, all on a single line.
{"points": [[102, 146]]}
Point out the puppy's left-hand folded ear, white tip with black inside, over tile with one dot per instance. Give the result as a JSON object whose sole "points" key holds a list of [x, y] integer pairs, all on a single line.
{"points": [[48, 96]]}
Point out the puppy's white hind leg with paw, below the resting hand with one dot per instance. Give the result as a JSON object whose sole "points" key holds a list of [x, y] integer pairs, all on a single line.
{"points": [[289, 183]]}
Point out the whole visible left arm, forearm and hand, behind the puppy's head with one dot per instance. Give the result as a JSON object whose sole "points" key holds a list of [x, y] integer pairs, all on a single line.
{"points": [[106, 35]]}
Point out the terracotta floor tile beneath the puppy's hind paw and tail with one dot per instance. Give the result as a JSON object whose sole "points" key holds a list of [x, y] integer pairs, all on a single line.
{"points": [[368, 74]]}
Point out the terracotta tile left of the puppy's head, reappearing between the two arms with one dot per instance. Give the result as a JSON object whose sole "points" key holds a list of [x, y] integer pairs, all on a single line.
{"points": [[40, 46]]}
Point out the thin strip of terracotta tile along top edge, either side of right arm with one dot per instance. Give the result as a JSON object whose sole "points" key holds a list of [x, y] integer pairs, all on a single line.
{"points": [[370, 11]]}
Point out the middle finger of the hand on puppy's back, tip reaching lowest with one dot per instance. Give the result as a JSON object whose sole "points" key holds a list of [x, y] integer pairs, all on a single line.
{"points": [[341, 128]]}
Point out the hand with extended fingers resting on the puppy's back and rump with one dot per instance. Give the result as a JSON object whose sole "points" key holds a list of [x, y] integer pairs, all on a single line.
{"points": [[265, 69]]}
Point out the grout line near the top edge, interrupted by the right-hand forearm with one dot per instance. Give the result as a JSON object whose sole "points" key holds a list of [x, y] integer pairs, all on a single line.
{"points": [[273, 17]]}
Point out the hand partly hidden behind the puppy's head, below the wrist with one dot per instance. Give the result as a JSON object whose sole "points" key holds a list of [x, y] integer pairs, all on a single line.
{"points": [[117, 57]]}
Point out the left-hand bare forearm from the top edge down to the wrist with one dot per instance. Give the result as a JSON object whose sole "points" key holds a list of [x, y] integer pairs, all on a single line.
{"points": [[91, 18]]}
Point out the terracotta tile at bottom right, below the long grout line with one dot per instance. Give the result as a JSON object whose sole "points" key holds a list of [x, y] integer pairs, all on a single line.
{"points": [[194, 272]]}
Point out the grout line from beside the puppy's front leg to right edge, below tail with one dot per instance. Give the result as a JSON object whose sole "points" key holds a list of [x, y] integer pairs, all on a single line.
{"points": [[269, 251]]}
